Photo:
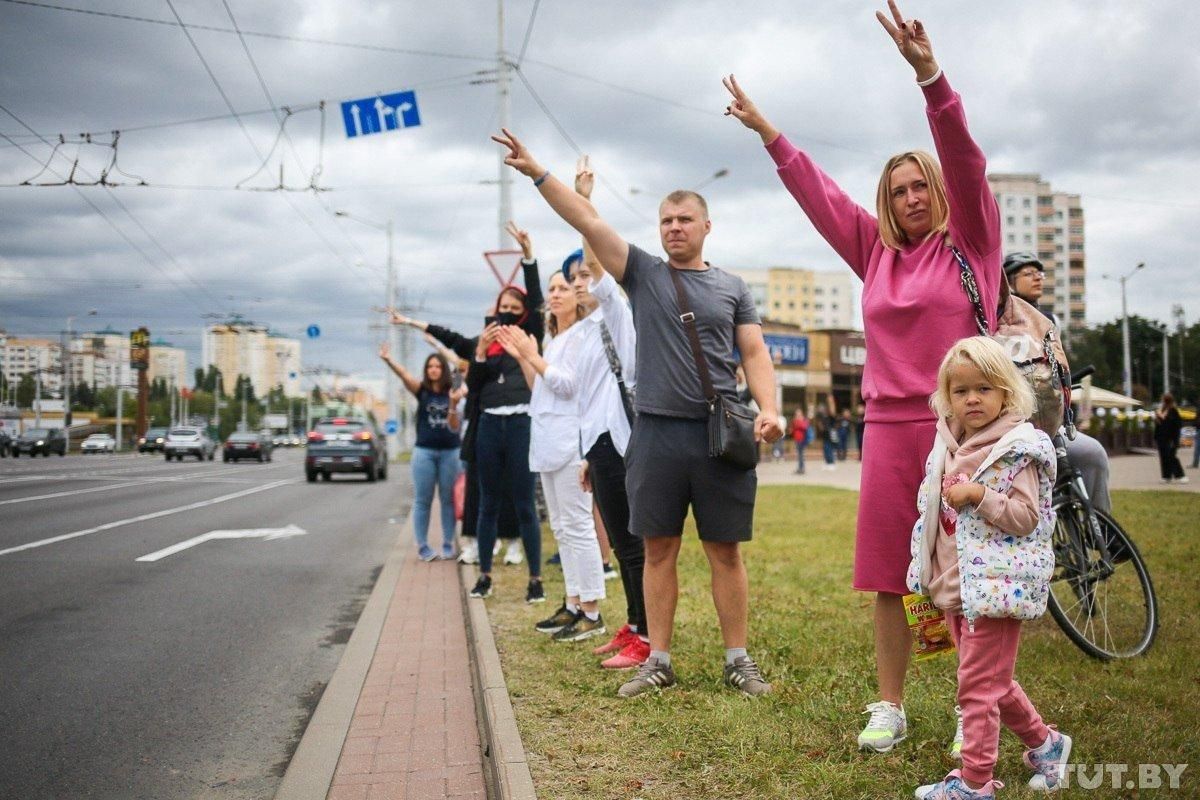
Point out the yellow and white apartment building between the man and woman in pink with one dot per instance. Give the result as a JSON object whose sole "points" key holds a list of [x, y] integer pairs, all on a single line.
{"points": [[811, 299]]}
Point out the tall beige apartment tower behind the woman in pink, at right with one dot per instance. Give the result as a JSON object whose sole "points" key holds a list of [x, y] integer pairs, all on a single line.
{"points": [[1034, 218]]}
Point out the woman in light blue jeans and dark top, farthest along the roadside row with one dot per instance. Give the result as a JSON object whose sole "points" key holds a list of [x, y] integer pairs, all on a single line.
{"points": [[436, 455]]}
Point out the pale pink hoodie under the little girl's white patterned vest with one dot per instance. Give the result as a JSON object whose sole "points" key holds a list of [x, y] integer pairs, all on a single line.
{"points": [[1016, 513]]}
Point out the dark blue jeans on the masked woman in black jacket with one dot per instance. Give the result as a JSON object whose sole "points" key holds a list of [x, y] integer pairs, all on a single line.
{"points": [[502, 449]]}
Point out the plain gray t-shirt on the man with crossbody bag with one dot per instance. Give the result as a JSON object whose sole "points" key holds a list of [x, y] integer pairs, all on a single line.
{"points": [[668, 382]]}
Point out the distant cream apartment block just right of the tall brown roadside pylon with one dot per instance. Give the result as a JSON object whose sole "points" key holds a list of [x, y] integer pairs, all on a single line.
{"points": [[243, 348]]}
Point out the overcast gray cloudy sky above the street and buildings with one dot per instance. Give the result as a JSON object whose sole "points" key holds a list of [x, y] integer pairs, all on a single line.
{"points": [[1099, 98]]}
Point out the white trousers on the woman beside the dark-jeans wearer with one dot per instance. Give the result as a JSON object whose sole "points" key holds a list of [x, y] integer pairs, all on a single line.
{"points": [[571, 519]]}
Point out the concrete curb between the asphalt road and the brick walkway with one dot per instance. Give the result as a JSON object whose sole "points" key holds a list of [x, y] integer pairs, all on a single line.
{"points": [[311, 771]]}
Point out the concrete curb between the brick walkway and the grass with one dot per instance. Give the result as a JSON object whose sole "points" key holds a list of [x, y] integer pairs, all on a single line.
{"points": [[506, 767]]}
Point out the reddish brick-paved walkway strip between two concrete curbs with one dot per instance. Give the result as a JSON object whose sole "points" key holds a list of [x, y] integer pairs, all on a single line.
{"points": [[415, 733]]}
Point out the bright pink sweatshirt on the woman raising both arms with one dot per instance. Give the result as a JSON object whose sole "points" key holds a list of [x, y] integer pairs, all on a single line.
{"points": [[914, 305]]}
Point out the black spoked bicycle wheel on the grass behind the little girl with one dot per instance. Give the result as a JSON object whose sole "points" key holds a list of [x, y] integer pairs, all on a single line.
{"points": [[1106, 605]]}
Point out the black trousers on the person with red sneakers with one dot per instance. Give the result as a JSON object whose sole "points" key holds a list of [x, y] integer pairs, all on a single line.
{"points": [[608, 471]]}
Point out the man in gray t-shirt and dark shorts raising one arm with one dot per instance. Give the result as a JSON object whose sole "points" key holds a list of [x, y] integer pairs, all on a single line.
{"points": [[668, 464]]}
